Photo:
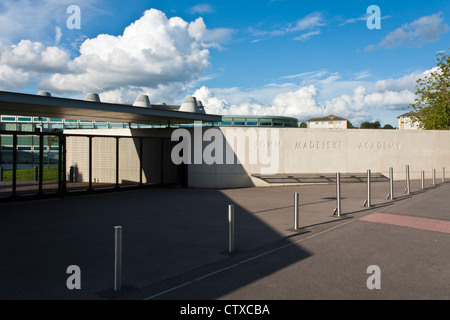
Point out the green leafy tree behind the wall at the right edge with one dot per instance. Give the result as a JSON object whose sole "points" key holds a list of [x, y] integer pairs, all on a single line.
{"points": [[432, 105]]}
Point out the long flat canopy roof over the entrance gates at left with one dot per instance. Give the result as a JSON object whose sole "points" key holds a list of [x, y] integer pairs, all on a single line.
{"points": [[12, 103]]}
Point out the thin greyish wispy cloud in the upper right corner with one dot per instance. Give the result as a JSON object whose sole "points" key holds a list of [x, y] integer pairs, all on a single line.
{"points": [[415, 34]]}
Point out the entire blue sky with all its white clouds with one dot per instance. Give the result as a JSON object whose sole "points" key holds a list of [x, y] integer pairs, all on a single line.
{"points": [[281, 57]]}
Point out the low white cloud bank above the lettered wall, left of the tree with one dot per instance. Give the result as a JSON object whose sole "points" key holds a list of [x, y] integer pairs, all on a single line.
{"points": [[311, 97]]}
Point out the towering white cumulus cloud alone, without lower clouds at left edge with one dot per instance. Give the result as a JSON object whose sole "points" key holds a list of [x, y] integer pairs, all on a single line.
{"points": [[151, 52]]}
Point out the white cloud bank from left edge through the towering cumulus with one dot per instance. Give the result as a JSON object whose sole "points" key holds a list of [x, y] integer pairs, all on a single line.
{"points": [[154, 55]]}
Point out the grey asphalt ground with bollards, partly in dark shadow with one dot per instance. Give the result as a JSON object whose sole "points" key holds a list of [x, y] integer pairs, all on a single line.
{"points": [[175, 243]]}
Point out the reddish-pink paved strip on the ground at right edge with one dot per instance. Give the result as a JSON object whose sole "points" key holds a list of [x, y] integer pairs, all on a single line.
{"points": [[410, 222]]}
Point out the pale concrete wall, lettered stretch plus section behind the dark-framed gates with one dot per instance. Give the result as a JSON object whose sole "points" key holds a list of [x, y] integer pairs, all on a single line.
{"points": [[263, 151]]}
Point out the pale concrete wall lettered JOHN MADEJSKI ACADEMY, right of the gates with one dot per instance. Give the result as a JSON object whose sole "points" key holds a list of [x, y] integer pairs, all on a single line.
{"points": [[300, 151]]}
